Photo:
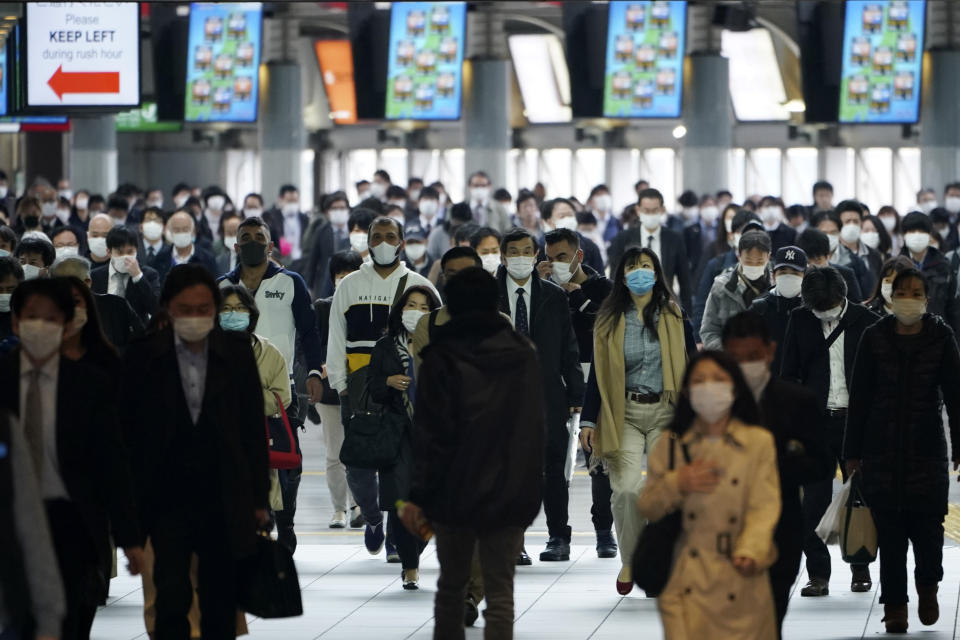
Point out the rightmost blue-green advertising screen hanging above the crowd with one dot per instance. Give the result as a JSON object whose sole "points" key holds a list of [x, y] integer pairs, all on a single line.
{"points": [[882, 61]]}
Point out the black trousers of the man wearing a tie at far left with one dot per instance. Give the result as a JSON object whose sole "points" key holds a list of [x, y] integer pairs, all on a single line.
{"points": [[83, 579]]}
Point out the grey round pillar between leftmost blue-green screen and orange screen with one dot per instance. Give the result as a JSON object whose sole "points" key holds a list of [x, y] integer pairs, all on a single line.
{"points": [[282, 131]]}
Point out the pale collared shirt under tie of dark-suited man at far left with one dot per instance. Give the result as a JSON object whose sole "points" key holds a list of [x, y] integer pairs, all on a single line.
{"points": [[51, 484]]}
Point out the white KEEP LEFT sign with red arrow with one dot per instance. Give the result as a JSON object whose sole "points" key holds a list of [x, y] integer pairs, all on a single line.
{"points": [[83, 54]]}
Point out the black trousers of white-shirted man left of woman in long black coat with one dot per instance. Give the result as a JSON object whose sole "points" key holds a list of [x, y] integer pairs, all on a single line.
{"points": [[816, 499]]}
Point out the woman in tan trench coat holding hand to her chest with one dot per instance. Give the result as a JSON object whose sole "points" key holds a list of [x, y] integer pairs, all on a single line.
{"points": [[729, 494]]}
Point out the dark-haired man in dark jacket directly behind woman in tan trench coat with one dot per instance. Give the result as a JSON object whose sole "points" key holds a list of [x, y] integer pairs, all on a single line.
{"points": [[790, 412]]}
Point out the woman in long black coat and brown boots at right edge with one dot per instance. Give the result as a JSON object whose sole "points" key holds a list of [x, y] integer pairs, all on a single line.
{"points": [[907, 365]]}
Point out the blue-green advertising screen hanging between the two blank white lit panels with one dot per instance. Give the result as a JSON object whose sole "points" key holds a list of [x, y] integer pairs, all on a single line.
{"points": [[644, 65]]}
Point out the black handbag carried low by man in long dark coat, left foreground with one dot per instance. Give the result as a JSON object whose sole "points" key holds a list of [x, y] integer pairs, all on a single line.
{"points": [[269, 587]]}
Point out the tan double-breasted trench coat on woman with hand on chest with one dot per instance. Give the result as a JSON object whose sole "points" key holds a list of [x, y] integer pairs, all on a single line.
{"points": [[706, 597]]}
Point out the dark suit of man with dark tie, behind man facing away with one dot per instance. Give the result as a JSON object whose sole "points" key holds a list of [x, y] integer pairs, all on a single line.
{"points": [[552, 333]]}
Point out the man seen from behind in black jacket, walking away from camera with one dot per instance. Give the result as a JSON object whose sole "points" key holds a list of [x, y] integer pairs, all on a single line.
{"points": [[478, 450]]}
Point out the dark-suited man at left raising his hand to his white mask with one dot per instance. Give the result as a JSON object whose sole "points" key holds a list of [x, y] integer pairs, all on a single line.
{"points": [[125, 277]]}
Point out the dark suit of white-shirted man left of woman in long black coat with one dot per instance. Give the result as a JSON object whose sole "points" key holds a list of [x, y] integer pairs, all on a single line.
{"points": [[806, 361]]}
